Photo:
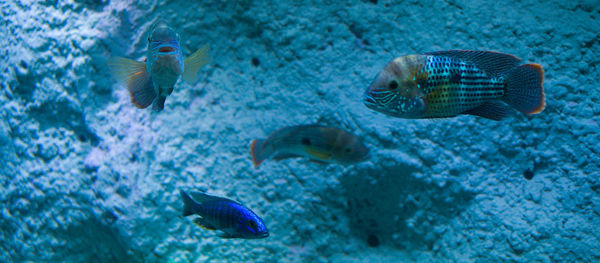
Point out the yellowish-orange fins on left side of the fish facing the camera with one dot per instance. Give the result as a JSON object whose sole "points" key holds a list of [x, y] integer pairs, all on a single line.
{"points": [[134, 75]]}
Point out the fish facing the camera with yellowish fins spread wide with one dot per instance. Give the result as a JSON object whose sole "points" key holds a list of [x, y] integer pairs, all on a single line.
{"points": [[151, 81]]}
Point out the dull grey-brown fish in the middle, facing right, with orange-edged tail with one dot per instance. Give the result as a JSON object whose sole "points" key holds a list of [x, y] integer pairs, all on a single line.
{"points": [[320, 143]]}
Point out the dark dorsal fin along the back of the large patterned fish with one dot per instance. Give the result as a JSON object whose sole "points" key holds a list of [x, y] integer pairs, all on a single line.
{"points": [[493, 63]]}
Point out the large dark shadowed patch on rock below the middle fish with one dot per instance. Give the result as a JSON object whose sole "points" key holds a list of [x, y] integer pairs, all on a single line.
{"points": [[391, 206]]}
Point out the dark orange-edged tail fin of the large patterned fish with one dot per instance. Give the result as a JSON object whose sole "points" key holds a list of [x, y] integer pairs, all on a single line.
{"points": [[524, 90]]}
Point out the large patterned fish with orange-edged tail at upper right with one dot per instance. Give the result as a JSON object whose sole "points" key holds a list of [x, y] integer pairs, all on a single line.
{"points": [[446, 84]]}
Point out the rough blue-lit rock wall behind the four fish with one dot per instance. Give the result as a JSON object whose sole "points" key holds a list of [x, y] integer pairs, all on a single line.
{"points": [[88, 177]]}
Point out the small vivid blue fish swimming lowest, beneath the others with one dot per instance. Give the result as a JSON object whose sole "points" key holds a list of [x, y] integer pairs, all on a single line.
{"points": [[231, 218]]}
